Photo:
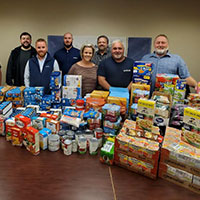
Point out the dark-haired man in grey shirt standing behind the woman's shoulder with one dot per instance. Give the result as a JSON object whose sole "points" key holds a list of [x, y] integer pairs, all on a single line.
{"points": [[103, 51]]}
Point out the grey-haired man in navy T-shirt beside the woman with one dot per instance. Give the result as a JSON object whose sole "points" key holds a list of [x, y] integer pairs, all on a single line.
{"points": [[117, 70]]}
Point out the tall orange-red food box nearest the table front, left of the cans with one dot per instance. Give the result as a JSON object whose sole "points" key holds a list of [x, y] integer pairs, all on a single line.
{"points": [[31, 140]]}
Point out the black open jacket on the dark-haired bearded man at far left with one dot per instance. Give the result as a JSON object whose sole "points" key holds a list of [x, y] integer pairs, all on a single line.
{"points": [[13, 74]]}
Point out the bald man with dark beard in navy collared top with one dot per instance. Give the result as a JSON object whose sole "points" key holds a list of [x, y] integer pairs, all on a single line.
{"points": [[68, 55]]}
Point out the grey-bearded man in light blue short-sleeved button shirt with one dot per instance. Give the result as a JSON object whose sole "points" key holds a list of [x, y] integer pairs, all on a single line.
{"points": [[165, 62]]}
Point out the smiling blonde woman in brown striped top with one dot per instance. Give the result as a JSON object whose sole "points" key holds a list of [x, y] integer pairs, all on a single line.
{"points": [[86, 68]]}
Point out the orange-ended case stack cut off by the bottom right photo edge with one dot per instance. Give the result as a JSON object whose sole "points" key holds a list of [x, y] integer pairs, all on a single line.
{"points": [[180, 161]]}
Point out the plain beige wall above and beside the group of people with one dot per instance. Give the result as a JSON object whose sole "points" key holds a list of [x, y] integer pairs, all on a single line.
{"points": [[179, 19]]}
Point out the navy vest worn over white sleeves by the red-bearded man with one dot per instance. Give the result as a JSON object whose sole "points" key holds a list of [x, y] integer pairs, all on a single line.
{"points": [[41, 79]]}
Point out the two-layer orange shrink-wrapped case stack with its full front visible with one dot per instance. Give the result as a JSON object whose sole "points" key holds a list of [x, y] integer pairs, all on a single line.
{"points": [[138, 152]]}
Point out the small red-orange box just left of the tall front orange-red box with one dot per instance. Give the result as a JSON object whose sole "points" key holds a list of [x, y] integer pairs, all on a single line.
{"points": [[16, 136]]}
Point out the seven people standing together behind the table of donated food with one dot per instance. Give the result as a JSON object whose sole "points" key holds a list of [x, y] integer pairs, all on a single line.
{"points": [[106, 67]]}
